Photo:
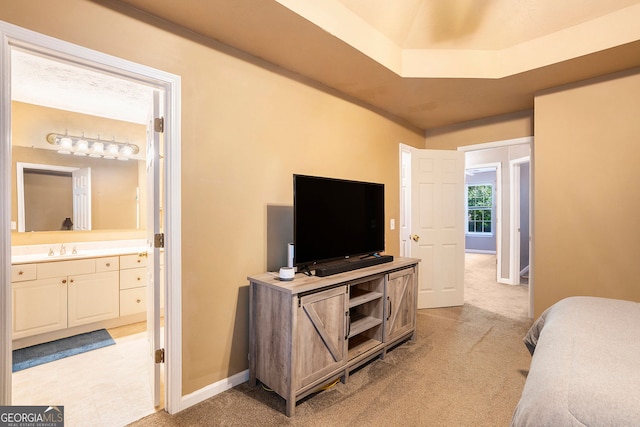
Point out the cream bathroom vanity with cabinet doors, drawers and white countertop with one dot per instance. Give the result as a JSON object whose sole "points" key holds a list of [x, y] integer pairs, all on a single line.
{"points": [[61, 296]]}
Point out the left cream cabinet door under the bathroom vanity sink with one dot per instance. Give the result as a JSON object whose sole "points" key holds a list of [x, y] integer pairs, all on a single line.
{"points": [[39, 306]]}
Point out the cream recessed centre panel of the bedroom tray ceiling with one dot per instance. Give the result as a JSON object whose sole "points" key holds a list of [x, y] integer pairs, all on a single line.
{"points": [[474, 24]]}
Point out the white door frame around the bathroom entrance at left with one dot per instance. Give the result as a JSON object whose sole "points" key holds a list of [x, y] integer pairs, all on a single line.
{"points": [[14, 36]]}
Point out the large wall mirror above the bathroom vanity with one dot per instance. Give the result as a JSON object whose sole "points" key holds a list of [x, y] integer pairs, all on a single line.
{"points": [[95, 194]]}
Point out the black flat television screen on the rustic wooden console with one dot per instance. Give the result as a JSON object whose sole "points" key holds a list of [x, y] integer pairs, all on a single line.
{"points": [[335, 218]]}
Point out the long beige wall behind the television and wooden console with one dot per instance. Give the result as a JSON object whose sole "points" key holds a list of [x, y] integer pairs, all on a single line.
{"points": [[246, 128]]}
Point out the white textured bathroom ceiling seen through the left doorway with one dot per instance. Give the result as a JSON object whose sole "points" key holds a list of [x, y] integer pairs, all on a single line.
{"points": [[48, 82]]}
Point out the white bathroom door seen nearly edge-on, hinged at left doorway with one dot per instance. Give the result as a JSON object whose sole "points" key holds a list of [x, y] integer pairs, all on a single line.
{"points": [[153, 266]]}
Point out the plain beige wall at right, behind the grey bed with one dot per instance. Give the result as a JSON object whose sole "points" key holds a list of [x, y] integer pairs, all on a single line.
{"points": [[586, 191]]}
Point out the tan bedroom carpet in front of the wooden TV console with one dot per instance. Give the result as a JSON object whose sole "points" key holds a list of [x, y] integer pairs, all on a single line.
{"points": [[467, 367]]}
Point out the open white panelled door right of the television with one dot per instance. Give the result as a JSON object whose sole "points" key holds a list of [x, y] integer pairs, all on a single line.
{"points": [[437, 225]]}
